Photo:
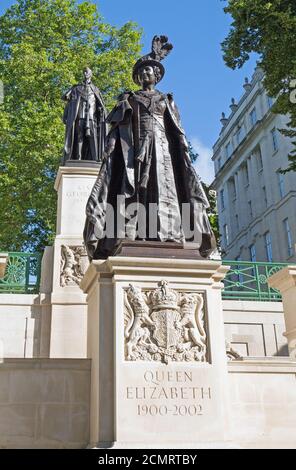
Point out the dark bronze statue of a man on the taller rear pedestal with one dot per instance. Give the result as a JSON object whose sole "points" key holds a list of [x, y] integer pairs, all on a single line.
{"points": [[85, 120]]}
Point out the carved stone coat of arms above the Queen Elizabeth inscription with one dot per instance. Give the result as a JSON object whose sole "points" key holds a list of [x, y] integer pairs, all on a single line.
{"points": [[164, 325]]}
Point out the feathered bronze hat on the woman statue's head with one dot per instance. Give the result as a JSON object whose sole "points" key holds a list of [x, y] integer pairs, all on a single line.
{"points": [[160, 49]]}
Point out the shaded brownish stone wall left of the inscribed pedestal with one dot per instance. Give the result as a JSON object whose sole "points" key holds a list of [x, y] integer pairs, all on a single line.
{"points": [[44, 403]]}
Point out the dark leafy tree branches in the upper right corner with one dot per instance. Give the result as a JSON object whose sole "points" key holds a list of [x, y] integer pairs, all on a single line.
{"points": [[268, 29]]}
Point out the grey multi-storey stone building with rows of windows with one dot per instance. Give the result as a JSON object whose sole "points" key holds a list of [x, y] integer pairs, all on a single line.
{"points": [[256, 203]]}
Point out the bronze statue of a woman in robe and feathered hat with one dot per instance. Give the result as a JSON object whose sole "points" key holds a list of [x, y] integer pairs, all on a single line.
{"points": [[147, 179]]}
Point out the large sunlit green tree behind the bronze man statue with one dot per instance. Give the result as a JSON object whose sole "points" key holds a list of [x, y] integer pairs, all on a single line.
{"points": [[44, 45]]}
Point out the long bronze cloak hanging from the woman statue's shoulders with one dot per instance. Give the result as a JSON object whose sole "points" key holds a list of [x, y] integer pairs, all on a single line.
{"points": [[119, 175]]}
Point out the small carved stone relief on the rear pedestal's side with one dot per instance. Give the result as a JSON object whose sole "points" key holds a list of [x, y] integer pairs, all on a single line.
{"points": [[74, 263]]}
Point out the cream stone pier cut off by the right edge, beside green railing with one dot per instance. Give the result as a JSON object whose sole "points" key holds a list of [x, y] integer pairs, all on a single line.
{"points": [[285, 282]]}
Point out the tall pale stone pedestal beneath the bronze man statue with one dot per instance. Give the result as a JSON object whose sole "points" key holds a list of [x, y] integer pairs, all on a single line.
{"points": [[64, 319]]}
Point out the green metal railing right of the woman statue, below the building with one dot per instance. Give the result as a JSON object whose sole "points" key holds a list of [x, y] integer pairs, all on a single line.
{"points": [[248, 281]]}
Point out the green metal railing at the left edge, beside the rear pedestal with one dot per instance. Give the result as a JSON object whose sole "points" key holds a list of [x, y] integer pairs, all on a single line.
{"points": [[22, 274]]}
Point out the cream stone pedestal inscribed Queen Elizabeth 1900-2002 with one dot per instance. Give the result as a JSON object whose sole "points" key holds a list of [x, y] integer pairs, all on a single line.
{"points": [[156, 340]]}
